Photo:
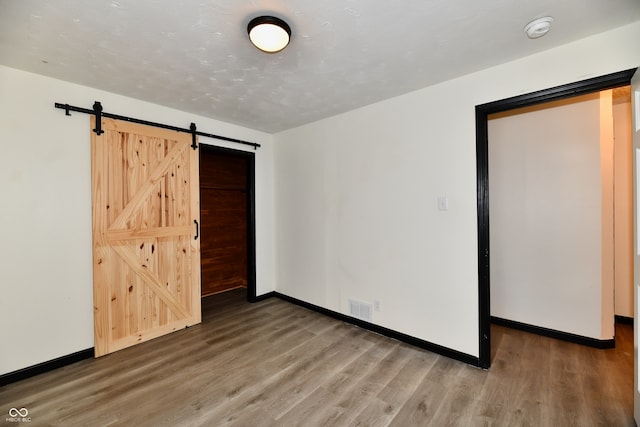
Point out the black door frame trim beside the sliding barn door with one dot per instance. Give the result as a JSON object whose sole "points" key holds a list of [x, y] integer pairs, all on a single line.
{"points": [[251, 212]]}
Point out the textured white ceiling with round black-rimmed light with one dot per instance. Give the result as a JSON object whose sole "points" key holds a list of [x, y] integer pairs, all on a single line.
{"points": [[195, 55]]}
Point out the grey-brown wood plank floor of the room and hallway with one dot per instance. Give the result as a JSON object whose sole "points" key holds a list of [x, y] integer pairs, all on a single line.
{"points": [[277, 364]]}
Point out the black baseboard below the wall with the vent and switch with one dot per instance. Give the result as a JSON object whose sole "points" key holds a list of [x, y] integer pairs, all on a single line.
{"points": [[417, 342]]}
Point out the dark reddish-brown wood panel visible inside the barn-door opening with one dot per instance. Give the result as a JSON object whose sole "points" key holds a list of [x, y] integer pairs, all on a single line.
{"points": [[223, 210]]}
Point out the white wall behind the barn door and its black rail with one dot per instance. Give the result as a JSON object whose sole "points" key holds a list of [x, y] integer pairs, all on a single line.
{"points": [[45, 216]]}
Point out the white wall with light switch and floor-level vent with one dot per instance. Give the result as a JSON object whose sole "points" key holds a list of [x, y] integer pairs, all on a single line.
{"points": [[357, 194]]}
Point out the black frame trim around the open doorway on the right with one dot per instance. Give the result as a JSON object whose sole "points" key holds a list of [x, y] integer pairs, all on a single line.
{"points": [[582, 87]]}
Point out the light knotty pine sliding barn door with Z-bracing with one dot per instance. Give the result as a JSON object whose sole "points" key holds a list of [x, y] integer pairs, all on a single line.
{"points": [[146, 258]]}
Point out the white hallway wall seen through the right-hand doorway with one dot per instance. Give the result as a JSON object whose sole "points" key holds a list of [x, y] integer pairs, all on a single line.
{"points": [[550, 190]]}
